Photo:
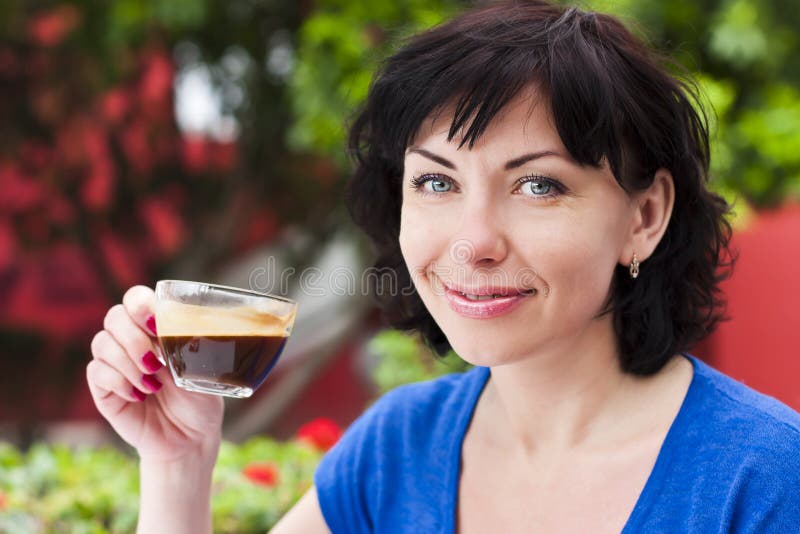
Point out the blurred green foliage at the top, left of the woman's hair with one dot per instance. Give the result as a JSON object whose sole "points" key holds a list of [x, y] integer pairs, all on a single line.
{"points": [[339, 48]]}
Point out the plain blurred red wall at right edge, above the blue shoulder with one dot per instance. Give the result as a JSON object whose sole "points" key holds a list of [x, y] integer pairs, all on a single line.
{"points": [[760, 345]]}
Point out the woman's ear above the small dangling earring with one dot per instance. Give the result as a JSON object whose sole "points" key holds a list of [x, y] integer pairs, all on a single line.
{"points": [[652, 209]]}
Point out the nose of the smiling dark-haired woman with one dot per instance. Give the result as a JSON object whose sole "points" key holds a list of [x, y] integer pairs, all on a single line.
{"points": [[481, 239]]}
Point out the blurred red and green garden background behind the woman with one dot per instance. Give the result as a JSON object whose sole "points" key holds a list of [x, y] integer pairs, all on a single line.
{"points": [[203, 139]]}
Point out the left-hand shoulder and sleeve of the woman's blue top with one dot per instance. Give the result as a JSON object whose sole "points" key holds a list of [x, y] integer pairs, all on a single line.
{"points": [[390, 462]]}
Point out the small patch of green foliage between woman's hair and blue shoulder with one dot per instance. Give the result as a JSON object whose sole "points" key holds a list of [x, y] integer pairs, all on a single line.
{"points": [[403, 358]]}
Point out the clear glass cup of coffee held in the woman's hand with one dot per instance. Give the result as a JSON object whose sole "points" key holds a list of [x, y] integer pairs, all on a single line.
{"points": [[218, 339]]}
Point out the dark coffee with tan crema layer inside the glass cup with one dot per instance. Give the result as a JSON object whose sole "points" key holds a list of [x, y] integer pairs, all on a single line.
{"points": [[220, 348]]}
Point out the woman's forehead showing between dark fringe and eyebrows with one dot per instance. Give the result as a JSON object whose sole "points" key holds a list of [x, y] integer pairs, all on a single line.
{"points": [[526, 122]]}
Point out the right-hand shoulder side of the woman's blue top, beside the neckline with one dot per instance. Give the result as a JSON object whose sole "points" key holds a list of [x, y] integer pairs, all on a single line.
{"points": [[731, 457]]}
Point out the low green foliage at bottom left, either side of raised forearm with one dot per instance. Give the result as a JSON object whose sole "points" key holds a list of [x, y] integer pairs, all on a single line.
{"points": [[58, 489]]}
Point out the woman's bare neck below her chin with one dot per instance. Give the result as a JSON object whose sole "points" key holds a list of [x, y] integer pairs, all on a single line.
{"points": [[564, 397]]}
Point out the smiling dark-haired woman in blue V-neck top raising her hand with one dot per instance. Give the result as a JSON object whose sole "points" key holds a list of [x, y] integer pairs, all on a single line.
{"points": [[539, 178]]}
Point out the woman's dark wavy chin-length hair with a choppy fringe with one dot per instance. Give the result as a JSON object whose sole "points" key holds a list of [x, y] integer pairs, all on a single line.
{"points": [[612, 98]]}
